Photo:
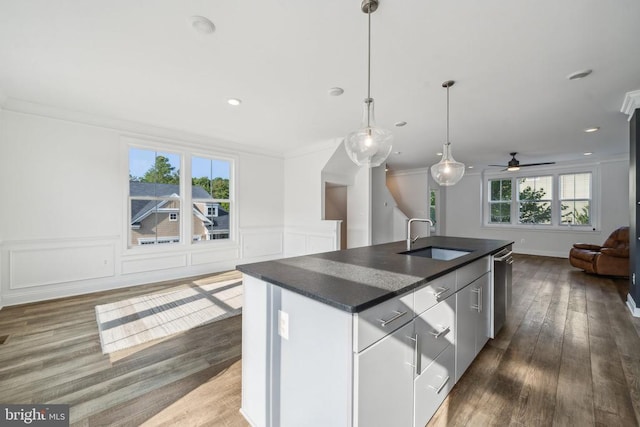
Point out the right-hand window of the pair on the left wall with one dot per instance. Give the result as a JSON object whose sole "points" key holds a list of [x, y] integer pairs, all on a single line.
{"points": [[211, 198]]}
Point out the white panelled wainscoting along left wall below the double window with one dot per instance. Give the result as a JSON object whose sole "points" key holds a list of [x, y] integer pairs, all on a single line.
{"points": [[37, 270]]}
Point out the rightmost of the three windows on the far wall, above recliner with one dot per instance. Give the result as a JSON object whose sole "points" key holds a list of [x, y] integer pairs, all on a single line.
{"points": [[575, 199]]}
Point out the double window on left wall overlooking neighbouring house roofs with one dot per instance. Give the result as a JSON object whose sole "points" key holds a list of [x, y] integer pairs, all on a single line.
{"points": [[156, 204]]}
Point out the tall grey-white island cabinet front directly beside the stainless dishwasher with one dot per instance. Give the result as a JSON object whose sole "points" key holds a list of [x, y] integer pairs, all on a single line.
{"points": [[473, 312]]}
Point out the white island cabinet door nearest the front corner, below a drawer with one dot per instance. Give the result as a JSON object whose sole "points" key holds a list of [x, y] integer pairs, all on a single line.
{"points": [[384, 376]]}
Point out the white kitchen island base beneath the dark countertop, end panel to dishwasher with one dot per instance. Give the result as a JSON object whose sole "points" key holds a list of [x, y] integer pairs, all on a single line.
{"points": [[390, 365]]}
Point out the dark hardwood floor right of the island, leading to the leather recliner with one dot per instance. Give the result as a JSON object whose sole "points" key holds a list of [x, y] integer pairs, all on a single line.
{"points": [[569, 355]]}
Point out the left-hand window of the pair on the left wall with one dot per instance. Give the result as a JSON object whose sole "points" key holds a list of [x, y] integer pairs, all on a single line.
{"points": [[154, 197]]}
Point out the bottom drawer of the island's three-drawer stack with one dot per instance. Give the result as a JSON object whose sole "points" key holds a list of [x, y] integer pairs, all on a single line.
{"points": [[432, 387]]}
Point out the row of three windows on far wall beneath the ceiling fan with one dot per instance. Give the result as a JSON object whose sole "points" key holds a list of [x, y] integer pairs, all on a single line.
{"points": [[553, 200]]}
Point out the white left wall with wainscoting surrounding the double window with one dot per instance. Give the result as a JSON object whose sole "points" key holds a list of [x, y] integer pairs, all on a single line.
{"points": [[63, 228]]}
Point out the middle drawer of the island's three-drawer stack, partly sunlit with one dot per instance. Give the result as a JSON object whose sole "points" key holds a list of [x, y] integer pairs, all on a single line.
{"points": [[435, 330]]}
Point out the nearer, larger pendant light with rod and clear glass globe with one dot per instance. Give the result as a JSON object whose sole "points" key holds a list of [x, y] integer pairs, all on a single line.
{"points": [[369, 145]]}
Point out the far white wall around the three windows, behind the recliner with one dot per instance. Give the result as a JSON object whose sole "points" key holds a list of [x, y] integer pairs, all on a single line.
{"points": [[464, 215]]}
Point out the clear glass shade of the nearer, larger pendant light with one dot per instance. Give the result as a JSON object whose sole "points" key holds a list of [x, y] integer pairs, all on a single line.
{"points": [[369, 145]]}
